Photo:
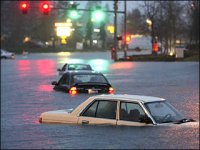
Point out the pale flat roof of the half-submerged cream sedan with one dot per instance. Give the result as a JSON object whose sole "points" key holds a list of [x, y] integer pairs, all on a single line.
{"points": [[139, 98]]}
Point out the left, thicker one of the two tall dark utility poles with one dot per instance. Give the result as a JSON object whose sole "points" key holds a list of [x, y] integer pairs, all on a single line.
{"points": [[115, 32]]}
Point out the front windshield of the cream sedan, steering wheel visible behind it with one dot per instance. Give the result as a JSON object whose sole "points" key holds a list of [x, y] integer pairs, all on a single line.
{"points": [[163, 112]]}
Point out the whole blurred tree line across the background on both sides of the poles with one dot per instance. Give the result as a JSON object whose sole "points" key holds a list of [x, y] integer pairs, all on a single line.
{"points": [[170, 21]]}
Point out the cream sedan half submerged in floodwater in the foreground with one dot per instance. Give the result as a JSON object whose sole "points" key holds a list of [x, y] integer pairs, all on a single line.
{"points": [[128, 110]]}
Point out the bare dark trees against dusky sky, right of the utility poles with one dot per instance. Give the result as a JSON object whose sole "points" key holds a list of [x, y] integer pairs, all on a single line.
{"points": [[170, 21]]}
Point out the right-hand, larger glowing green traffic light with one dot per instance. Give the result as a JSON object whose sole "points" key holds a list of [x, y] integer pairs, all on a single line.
{"points": [[98, 14]]}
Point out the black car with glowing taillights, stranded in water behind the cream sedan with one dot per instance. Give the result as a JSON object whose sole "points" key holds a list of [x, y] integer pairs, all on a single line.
{"points": [[90, 82]]}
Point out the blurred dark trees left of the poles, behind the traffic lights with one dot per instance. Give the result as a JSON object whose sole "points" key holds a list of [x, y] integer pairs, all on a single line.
{"points": [[15, 26]]}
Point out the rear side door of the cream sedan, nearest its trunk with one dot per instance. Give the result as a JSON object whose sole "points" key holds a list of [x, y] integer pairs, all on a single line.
{"points": [[100, 112]]}
